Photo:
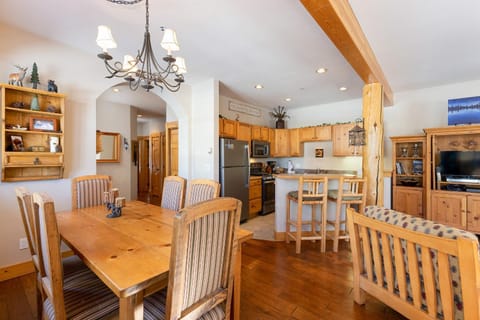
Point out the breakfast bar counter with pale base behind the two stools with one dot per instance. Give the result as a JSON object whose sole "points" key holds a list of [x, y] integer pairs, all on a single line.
{"points": [[286, 182]]}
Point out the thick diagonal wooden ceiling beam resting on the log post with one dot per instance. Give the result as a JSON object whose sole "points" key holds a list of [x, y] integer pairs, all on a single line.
{"points": [[338, 21]]}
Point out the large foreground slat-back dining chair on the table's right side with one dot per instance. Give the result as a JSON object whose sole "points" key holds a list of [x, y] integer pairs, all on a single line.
{"points": [[201, 263]]}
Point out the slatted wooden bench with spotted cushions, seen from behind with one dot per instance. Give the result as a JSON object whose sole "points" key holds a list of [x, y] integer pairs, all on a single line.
{"points": [[426, 270]]}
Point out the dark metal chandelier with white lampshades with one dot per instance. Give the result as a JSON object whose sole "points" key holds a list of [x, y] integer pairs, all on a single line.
{"points": [[144, 70]]}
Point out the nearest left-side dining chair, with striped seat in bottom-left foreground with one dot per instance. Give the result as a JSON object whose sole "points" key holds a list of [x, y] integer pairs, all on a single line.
{"points": [[84, 296]]}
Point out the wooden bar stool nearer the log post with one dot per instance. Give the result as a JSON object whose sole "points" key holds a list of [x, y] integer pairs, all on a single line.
{"points": [[351, 191]]}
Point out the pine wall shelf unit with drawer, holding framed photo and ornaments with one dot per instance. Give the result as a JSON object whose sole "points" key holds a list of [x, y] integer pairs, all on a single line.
{"points": [[33, 142]]}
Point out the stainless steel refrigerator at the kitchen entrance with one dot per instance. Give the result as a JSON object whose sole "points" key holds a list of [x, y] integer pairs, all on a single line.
{"points": [[234, 171]]}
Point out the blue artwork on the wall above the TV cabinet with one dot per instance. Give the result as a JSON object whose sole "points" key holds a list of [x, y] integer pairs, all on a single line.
{"points": [[463, 111]]}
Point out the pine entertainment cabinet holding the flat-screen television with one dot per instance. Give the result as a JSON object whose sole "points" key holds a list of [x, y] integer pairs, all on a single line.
{"points": [[453, 176]]}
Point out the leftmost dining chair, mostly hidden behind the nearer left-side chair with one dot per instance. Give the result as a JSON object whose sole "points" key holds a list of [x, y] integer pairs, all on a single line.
{"points": [[71, 265]]}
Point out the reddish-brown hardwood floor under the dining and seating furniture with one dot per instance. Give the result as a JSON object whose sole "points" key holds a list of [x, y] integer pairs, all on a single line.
{"points": [[276, 284]]}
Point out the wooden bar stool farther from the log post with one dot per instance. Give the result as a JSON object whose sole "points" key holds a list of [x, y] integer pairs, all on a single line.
{"points": [[311, 191]]}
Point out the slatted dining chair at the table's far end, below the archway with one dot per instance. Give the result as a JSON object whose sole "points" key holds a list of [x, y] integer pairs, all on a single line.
{"points": [[87, 191]]}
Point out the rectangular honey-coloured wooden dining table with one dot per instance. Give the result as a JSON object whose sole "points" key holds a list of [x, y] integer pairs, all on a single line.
{"points": [[131, 253]]}
